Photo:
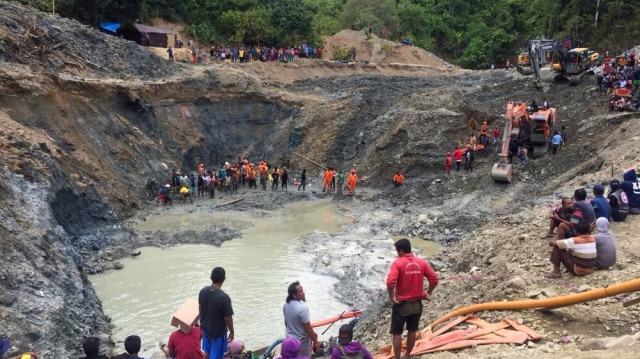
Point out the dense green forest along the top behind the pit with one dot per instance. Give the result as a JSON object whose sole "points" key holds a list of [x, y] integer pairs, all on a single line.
{"points": [[470, 33]]}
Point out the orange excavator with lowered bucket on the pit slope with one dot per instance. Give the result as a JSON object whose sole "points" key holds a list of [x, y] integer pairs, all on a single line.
{"points": [[530, 129]]}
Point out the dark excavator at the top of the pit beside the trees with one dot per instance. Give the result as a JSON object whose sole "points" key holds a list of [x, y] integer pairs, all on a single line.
{"points": [[569, 64]]}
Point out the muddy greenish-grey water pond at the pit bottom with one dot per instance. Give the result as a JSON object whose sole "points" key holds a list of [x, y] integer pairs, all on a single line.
{"points": [[260, 265]]}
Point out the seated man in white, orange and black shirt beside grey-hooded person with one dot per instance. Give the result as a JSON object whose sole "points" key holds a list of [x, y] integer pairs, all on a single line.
{"points": [[577, 254]]}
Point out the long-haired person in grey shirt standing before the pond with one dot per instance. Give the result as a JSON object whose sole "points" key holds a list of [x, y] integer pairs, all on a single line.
{"points": [[297, 320]]}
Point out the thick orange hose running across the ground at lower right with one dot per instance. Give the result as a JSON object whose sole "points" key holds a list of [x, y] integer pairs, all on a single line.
{"points": [[556, 302]]}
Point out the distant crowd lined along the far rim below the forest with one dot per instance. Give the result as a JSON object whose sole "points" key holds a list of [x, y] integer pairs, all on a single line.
{"points": [[242, 54]]}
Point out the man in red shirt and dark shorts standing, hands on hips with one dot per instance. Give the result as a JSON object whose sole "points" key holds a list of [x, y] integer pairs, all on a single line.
{"points": [[405, 286]]}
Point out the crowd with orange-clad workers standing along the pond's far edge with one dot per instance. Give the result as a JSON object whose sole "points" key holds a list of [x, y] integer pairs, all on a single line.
{"points": [[229, 177]]}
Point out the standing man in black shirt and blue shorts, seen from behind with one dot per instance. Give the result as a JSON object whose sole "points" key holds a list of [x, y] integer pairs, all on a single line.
{"points": [[216, 316]]}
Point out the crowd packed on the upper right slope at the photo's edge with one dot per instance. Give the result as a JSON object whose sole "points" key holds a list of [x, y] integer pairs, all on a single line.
{"points": [[620, 80]]}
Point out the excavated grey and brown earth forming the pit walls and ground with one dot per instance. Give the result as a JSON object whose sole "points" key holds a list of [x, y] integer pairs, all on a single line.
{"points": [[86, 120]]}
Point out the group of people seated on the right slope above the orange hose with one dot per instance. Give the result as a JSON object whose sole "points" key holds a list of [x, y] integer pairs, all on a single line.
{"points": [[584, 241]]}
